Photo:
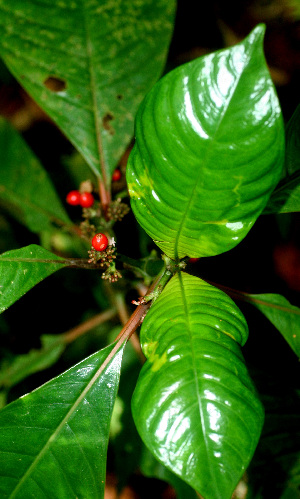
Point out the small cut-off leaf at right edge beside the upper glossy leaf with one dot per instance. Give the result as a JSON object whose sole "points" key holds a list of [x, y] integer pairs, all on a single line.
{"points": [[286, 197]]}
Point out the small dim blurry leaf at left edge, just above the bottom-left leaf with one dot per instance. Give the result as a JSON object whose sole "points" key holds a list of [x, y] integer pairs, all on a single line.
{"points": [[36, 360]]}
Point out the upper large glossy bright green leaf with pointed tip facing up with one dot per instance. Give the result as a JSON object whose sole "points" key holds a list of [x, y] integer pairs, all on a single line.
{"points": [[209, 151]]}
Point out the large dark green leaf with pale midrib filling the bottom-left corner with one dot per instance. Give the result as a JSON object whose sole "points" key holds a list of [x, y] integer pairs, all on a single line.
{"points": [[54, 440]]}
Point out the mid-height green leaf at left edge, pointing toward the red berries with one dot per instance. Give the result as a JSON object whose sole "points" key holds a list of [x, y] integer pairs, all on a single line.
{"points": [[22, 269]]}
